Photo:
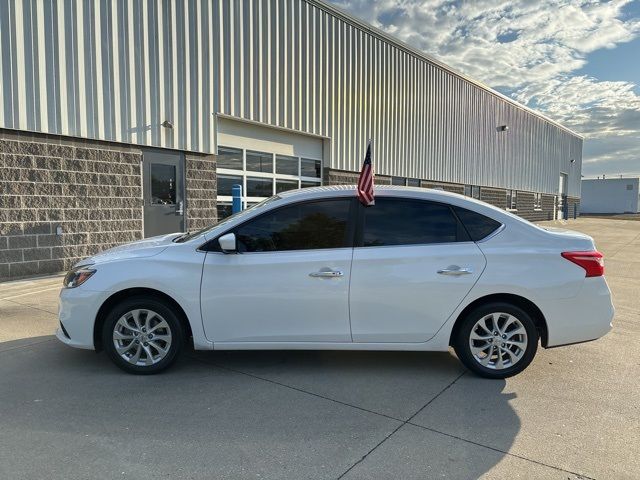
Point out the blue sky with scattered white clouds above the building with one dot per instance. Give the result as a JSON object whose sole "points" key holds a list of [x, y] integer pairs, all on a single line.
{"points": [[577, 61]]}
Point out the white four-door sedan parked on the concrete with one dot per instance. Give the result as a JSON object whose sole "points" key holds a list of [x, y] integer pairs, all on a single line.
{"points": [[314, 269]]}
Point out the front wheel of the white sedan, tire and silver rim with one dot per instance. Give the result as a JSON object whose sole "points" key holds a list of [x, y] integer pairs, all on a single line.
{"points": [[142, 335]]}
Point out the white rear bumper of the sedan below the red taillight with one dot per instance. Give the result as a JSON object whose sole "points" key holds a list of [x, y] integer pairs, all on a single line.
{"points": [[585, 317]]}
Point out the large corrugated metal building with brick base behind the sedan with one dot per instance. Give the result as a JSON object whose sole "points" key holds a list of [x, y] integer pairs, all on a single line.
{"points": [[143, 114]]}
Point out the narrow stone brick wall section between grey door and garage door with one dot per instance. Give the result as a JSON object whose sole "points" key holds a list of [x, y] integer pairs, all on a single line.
{"points": [[201, 184]]}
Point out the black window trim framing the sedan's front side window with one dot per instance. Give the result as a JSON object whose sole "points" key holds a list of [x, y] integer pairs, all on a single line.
{"points": [[212, 246]]}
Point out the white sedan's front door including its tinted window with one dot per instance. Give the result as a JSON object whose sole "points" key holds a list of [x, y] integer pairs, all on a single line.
{"points": [[289, 281]]}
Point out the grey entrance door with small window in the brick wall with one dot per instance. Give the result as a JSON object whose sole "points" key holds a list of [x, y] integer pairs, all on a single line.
{"points": [[163, 192]]}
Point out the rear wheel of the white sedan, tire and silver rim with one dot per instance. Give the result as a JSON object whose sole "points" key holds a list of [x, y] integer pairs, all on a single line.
{"points": [[496, 356]]}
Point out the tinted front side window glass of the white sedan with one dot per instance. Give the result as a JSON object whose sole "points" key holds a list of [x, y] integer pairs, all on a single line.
{"points": [[303, 226]]}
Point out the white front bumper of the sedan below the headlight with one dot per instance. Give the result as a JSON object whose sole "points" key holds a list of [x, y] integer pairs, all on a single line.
{"points": [[77, 313]]}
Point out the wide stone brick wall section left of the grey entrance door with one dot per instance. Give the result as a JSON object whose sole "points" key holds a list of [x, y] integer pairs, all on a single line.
{"points": [[91, 191]]}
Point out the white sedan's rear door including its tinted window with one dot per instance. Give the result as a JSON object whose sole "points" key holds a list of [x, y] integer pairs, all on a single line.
{"points": [[413, 266]]}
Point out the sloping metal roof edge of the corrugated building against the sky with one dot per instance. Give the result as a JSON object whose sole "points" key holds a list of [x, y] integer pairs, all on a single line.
{"points": [[347, 17]]}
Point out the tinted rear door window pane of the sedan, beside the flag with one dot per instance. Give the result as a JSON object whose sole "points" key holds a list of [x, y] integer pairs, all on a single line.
{"points": [[395, 221]]}
